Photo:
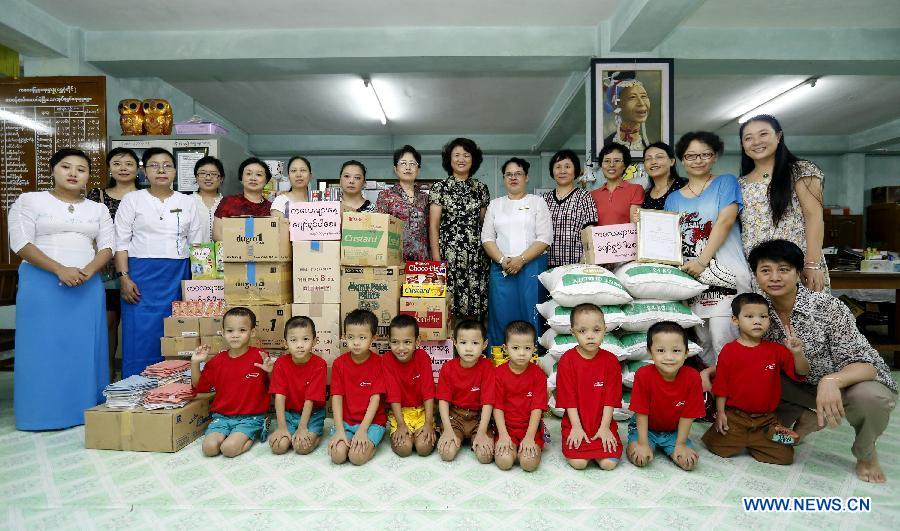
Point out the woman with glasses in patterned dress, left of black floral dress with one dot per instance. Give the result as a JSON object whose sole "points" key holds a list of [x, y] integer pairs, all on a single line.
{"points": [[407, 202]]}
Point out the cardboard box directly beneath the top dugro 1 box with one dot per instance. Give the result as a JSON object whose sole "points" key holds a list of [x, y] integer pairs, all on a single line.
{"points": [[257, 283]]}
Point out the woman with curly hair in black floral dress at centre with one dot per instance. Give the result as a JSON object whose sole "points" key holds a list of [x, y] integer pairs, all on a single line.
{"points": [[456, 215]]}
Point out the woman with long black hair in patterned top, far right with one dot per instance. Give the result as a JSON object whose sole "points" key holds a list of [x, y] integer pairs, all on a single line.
{"points": [[782, 197]]}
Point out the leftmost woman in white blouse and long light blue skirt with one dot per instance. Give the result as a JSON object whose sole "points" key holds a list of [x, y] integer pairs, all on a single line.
{"points": [[61, 345]]}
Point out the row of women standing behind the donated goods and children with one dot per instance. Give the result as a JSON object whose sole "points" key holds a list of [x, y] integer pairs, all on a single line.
{"points": [[494, 249]]}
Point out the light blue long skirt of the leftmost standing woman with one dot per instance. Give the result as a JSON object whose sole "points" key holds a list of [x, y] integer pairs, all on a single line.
{"points": [[61, 364]]}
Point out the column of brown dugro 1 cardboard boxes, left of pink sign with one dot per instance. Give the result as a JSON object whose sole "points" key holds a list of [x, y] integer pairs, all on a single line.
{"points": [[257, 265]]}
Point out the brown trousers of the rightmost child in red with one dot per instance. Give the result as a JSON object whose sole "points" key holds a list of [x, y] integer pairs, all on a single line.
{"points": [[752, 432]]}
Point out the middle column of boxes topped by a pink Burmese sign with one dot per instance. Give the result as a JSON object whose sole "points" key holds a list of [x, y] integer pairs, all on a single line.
{"points": [[315, 229]]}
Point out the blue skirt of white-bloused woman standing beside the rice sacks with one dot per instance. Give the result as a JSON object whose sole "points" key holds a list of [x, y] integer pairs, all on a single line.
{"points": [[515, 297]]}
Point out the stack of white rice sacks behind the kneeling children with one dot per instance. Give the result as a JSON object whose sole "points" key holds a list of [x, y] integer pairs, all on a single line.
{"points": [[634, 298]]}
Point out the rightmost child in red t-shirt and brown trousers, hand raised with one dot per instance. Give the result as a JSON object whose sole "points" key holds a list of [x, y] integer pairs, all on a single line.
{"points": [[747, 386]]}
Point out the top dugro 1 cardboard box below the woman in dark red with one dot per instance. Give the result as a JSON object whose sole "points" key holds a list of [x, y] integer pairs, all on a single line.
{"points": [[263, 239]]}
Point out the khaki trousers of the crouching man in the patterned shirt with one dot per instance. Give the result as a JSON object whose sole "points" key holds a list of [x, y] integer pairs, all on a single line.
{"points": [[868, 407]]}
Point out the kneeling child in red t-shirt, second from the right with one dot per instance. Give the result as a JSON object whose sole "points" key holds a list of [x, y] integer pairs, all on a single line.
{"points": [[665, 399]]}
